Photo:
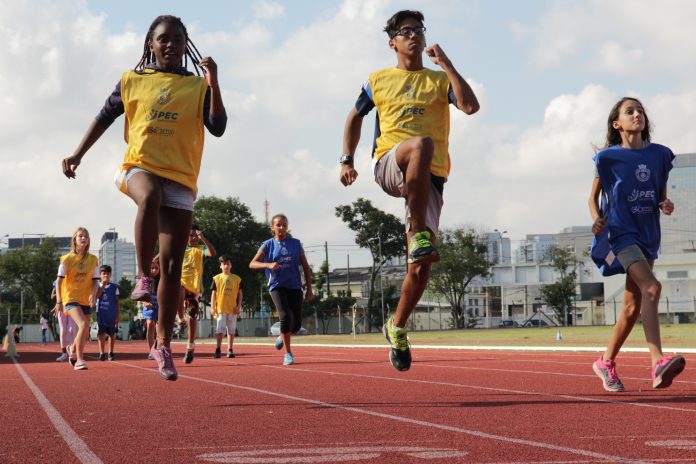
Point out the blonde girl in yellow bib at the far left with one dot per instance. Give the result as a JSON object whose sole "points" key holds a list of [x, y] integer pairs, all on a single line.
{"points": [[78, 281]]}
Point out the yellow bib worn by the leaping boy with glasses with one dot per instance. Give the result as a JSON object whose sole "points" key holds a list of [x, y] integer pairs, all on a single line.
{"points": [[409, 104]]}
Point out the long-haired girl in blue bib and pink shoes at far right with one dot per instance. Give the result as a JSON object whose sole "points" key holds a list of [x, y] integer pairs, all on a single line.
{"points": [[632, 172]]}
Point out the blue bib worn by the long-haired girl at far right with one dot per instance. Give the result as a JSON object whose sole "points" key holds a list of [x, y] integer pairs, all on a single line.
{"points": [[634, 182]]}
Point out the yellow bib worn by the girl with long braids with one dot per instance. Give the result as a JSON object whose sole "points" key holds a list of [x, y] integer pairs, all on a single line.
{"points": [[164, 124]]}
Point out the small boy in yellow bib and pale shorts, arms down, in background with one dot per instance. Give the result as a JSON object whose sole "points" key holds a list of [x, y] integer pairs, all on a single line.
{"points": [[226, 304]]}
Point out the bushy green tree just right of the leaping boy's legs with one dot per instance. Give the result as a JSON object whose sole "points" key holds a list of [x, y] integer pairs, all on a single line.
{"points": [[463, 256]]}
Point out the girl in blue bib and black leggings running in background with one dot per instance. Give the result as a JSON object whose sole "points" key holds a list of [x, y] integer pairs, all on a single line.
{"points": [[281, 258]]}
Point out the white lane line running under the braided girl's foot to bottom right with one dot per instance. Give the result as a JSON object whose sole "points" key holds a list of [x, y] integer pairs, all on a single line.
{"points": [[407, 420]]}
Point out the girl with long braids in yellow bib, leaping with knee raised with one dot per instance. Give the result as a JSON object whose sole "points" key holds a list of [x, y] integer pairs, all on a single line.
{"points": [[166, 108]]}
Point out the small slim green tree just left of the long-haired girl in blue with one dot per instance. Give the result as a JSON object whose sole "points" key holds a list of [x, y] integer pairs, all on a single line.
{"points": [[561, 294]]}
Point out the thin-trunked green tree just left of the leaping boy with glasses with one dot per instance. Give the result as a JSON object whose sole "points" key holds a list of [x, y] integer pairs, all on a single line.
{"points": [[373, 226]]}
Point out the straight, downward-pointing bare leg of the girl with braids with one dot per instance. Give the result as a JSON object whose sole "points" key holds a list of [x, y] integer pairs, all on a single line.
{"points": [[174, 227]]}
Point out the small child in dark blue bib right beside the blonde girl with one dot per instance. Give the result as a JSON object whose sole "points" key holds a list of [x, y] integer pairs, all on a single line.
{"points": [[108, 312]]}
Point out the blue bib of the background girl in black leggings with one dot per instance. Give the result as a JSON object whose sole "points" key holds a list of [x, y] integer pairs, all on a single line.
{"points": [[286, 253]]}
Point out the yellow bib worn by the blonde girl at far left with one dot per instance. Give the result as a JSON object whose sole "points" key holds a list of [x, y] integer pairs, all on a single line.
{"points": [[78, 275]]}
